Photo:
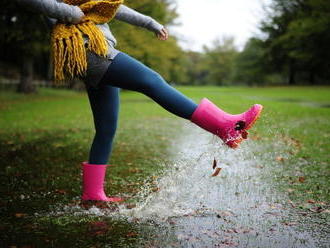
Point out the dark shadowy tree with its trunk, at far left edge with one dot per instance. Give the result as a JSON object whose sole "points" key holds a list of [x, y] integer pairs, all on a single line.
{"points": [[25, 39]]}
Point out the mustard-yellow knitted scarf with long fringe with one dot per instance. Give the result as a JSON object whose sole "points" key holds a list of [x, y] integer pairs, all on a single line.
{"points": [[69, 52]]}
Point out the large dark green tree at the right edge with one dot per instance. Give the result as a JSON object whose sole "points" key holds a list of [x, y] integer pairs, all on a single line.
{"points": [[298, 33]]}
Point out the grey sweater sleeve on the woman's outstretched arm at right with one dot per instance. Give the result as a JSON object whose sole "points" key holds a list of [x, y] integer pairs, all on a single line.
{"points": [[131, 16]]}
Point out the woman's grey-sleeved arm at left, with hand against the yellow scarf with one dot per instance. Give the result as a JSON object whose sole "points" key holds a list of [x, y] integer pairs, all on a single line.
{"points": [[54, 9]]}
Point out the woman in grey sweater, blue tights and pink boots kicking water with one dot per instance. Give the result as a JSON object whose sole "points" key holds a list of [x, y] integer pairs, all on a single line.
{"points": [[106, 74]]}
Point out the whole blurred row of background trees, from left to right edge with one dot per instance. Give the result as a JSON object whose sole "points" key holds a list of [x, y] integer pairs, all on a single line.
{"points": [[293, 48]]}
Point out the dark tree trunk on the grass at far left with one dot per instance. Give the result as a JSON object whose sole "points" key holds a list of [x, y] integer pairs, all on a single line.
{"points": [[26, 78]]}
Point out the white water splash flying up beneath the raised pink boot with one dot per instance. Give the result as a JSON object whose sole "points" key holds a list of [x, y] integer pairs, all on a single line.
{"points": [[188, 187]]}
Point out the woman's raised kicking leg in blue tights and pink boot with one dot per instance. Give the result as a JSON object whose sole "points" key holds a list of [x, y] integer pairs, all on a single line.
{"points": [[128, 73]]}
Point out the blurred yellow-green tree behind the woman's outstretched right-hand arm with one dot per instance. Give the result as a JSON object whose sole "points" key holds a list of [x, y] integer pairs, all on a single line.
{"points": [[164, 57]]}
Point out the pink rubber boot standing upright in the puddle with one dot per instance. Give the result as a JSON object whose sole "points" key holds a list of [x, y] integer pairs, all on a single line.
{"points": [[93, 180]]}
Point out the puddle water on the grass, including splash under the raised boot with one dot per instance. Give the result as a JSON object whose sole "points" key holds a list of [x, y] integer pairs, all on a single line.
{"points": [[241, 207]]}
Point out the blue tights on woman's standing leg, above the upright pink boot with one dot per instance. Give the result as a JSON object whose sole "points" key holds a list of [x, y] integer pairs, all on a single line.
{"points": [[104, 102]]}
